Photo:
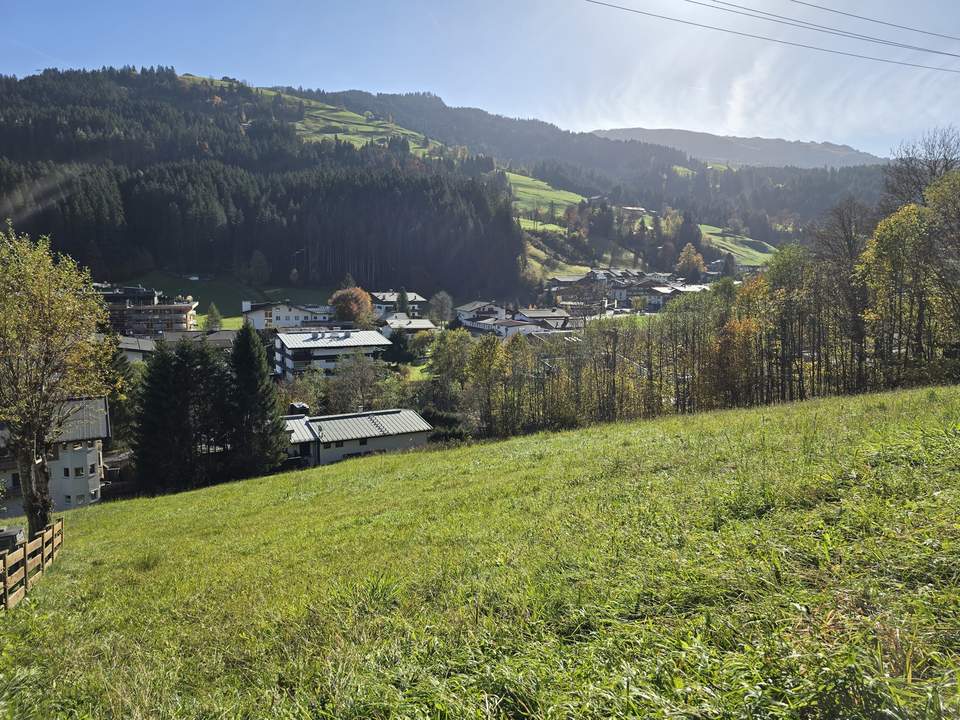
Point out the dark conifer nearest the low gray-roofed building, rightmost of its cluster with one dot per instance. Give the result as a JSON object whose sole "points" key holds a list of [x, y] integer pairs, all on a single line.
{"points": [[259, 439]]}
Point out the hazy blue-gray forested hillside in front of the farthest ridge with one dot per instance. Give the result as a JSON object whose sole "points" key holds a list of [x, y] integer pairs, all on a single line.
{"points": [[631, 172]]}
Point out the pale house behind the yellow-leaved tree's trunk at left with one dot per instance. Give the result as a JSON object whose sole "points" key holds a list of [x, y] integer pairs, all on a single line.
{"points": [[75, 463]]}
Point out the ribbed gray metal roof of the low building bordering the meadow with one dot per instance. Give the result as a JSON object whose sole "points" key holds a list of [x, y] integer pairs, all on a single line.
{"points": [[337, 428]]}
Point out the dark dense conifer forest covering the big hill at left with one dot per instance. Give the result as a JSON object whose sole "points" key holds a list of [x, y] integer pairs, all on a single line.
{"points": [[134, 170]]}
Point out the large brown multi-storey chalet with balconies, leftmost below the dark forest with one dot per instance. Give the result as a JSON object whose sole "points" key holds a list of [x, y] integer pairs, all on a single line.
{"points": [[135, 310]]}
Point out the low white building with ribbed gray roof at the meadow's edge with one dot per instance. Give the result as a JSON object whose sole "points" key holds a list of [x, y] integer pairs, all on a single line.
{"points": [[327, 439]]}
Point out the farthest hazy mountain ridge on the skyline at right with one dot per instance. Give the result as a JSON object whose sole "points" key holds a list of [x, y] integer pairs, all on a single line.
{"points": [[732, 150]]}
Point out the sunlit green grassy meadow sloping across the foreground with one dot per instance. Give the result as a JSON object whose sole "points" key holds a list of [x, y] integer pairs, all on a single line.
{"points": [[791, 561]]}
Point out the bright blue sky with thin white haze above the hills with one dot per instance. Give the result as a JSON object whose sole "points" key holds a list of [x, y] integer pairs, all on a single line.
{"points": [[578, 65]]}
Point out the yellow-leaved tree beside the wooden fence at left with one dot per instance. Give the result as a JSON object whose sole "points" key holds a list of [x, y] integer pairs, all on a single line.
{"points": [[49, 314]]}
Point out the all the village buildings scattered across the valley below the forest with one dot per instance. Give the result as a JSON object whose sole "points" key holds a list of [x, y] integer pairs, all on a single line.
{"points": [[302, 338]]}
